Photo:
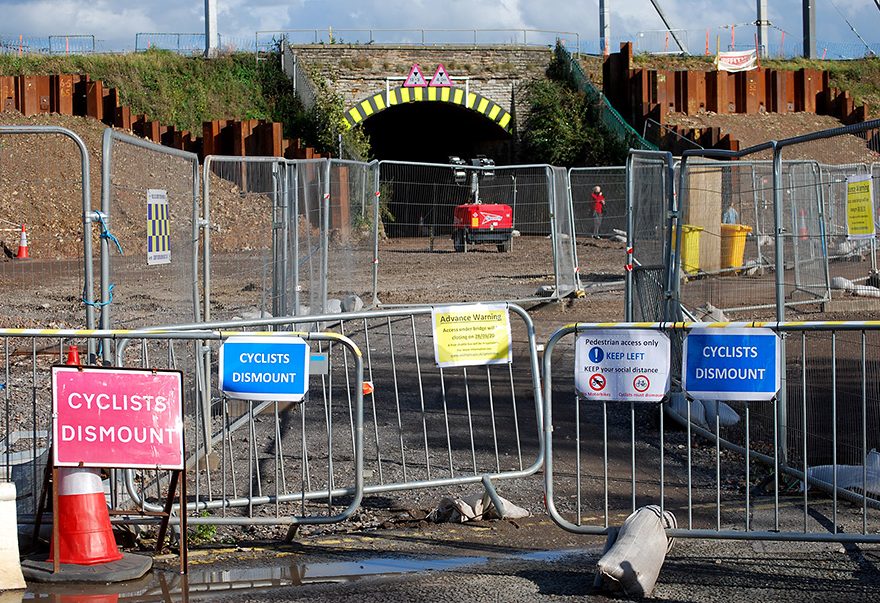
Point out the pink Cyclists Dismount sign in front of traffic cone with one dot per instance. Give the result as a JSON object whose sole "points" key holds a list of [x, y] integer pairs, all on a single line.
{"points": [[111, 417]]}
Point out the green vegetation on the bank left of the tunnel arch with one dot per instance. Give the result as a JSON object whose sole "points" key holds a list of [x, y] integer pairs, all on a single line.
{"points": [[186, 91]]}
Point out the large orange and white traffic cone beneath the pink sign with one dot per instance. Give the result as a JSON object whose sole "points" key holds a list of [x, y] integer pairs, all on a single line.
{"points": [[85, 536]]}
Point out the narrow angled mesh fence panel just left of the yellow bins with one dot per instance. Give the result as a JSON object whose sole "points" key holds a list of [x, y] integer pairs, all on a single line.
{"points": [[648, 181]]}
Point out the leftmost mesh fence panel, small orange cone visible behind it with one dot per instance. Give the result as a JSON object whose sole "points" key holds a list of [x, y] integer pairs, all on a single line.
{"points": [[41, 180]]}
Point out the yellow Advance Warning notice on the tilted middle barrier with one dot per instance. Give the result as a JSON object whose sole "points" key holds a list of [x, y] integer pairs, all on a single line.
{"points": [[471, 335]]}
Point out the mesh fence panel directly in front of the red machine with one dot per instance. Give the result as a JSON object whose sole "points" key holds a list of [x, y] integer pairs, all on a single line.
{"points": [[479, 262]]}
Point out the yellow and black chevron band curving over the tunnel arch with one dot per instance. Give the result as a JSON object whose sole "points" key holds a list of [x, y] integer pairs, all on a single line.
{"points": [[398, 96]]}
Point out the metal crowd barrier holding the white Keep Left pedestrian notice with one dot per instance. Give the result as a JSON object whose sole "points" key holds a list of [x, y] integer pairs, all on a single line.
{"points": [[726, 475]]}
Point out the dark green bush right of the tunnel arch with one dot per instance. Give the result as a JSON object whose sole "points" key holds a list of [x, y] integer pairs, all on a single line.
{"points": [[564, 128]]}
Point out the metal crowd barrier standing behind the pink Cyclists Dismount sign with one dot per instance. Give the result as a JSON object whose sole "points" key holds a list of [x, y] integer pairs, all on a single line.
{"points": [[281, 460]]}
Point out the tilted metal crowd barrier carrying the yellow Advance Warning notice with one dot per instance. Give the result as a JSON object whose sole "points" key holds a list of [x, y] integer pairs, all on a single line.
{"points": [[427, 427]]}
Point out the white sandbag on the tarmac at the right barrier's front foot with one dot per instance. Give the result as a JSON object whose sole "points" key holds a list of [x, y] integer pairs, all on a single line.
{"points": [[634, 560]]}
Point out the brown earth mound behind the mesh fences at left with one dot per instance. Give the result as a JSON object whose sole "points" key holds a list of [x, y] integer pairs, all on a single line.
{"points": [[41, 187]]}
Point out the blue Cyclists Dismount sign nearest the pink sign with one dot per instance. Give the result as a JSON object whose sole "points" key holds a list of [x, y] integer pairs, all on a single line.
{"points": [[264, 368]]}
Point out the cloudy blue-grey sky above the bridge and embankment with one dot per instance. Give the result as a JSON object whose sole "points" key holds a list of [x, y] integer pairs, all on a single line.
{"points": [[116, 22]]}
